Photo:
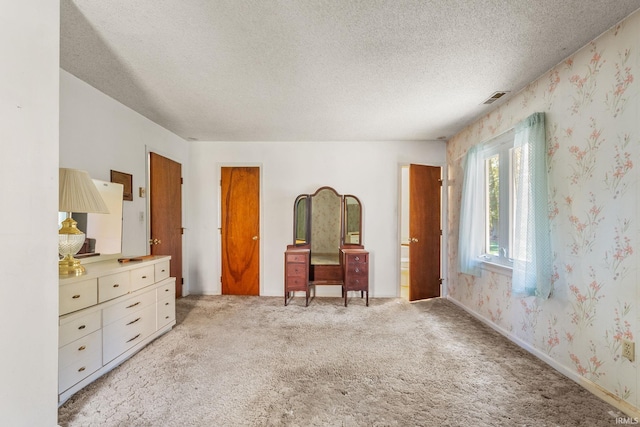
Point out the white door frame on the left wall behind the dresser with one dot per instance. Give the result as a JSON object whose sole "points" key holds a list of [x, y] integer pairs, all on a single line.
{"points": [[185, 247]]}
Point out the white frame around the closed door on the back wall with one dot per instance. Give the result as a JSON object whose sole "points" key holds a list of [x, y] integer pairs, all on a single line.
{"points": [[219, 167]]}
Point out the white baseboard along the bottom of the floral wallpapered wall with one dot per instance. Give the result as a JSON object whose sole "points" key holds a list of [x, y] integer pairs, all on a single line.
{"points": [[589, 385]]}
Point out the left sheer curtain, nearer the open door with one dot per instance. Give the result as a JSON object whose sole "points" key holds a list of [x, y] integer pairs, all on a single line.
{"points": [[470, 236]]}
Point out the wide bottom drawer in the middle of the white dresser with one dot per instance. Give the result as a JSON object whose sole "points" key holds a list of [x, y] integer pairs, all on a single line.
{"points": [[128, 331]]}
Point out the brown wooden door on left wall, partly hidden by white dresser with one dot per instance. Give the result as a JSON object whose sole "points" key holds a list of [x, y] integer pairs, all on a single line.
{"points": [[165, 215]]}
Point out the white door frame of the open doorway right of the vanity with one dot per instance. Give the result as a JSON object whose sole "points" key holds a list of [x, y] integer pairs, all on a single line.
{"points": [[444, 200]]}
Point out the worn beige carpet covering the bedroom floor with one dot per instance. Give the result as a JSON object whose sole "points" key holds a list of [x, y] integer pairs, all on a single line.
{"points": [[251, 361]]}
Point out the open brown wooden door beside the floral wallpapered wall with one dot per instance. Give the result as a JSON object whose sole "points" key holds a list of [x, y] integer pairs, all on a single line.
{"points": [[425, 234]]}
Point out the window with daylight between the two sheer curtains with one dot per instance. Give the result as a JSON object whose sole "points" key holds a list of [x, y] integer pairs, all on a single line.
{"points": [[499, 189]]}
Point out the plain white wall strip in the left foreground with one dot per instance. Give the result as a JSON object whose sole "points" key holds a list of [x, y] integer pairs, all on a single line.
{"points": [[29, 40]]}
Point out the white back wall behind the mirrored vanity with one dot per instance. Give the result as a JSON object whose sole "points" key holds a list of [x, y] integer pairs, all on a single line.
{"points": [[368, 170]]}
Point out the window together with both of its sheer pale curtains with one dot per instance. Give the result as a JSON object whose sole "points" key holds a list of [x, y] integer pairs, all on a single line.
{"points": [[504, 208]]}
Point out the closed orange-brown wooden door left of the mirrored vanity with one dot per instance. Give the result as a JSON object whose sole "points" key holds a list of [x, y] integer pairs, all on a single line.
{"points": [[240, 230]]}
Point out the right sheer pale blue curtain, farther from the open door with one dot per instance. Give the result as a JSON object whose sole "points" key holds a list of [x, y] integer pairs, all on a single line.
{"points": [[531, 251]]}
